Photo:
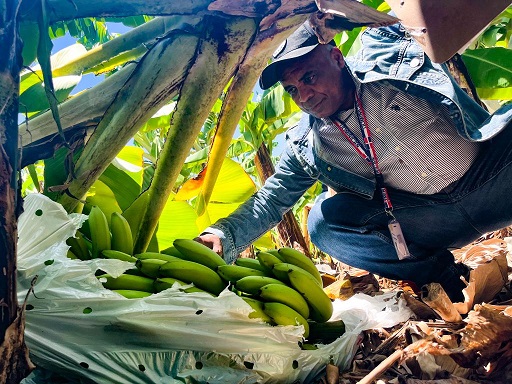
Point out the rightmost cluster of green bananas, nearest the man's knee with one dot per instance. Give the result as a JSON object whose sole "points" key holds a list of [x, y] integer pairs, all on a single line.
{"points": [[285, 289]]}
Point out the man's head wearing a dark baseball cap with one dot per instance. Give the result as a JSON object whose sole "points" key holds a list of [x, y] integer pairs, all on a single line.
{"points": [[312, 73]]}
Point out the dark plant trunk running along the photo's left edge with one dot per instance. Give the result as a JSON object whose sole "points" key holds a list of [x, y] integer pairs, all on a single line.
{"points": [[14, 362]]}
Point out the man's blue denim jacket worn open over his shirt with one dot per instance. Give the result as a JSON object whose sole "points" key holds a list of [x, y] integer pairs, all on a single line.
{"points": [[388, 55]]}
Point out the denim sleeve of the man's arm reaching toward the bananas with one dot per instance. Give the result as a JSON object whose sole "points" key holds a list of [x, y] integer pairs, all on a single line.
{"points": [[265, 208]]}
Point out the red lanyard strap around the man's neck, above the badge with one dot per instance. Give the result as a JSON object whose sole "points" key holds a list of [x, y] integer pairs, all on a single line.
{"points": [[366, 149]]}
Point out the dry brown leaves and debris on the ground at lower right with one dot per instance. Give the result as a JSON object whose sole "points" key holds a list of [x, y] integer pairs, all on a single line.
{"points": [[427, 349]]}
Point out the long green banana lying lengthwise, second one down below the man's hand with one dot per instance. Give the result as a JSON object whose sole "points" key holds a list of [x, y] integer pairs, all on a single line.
{"points": [[191, 272]]}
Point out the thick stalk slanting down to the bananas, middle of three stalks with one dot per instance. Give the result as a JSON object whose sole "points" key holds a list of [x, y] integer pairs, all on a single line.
{"points": [[204, 82]]}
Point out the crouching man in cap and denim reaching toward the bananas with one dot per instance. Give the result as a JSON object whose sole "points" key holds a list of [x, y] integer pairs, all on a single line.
{"points": [[417, 166]]}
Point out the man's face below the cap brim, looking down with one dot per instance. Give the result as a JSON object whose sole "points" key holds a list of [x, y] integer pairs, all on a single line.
{"points": [[316, 84]]}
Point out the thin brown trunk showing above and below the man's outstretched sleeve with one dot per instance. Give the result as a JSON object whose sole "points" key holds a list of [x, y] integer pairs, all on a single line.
{"points": [[288, 229]]}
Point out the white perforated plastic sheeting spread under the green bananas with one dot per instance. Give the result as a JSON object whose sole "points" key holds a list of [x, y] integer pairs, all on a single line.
{"points": [[78, 328]]}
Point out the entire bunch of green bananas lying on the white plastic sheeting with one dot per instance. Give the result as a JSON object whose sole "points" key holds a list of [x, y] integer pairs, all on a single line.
{"points": [[282, 286]]}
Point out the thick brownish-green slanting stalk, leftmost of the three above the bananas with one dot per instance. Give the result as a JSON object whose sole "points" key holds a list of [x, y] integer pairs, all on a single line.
{"points": [[151, 85]]}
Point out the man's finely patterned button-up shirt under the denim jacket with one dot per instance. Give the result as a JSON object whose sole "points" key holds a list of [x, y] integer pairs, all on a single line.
{"points": [[417, 147]]}
